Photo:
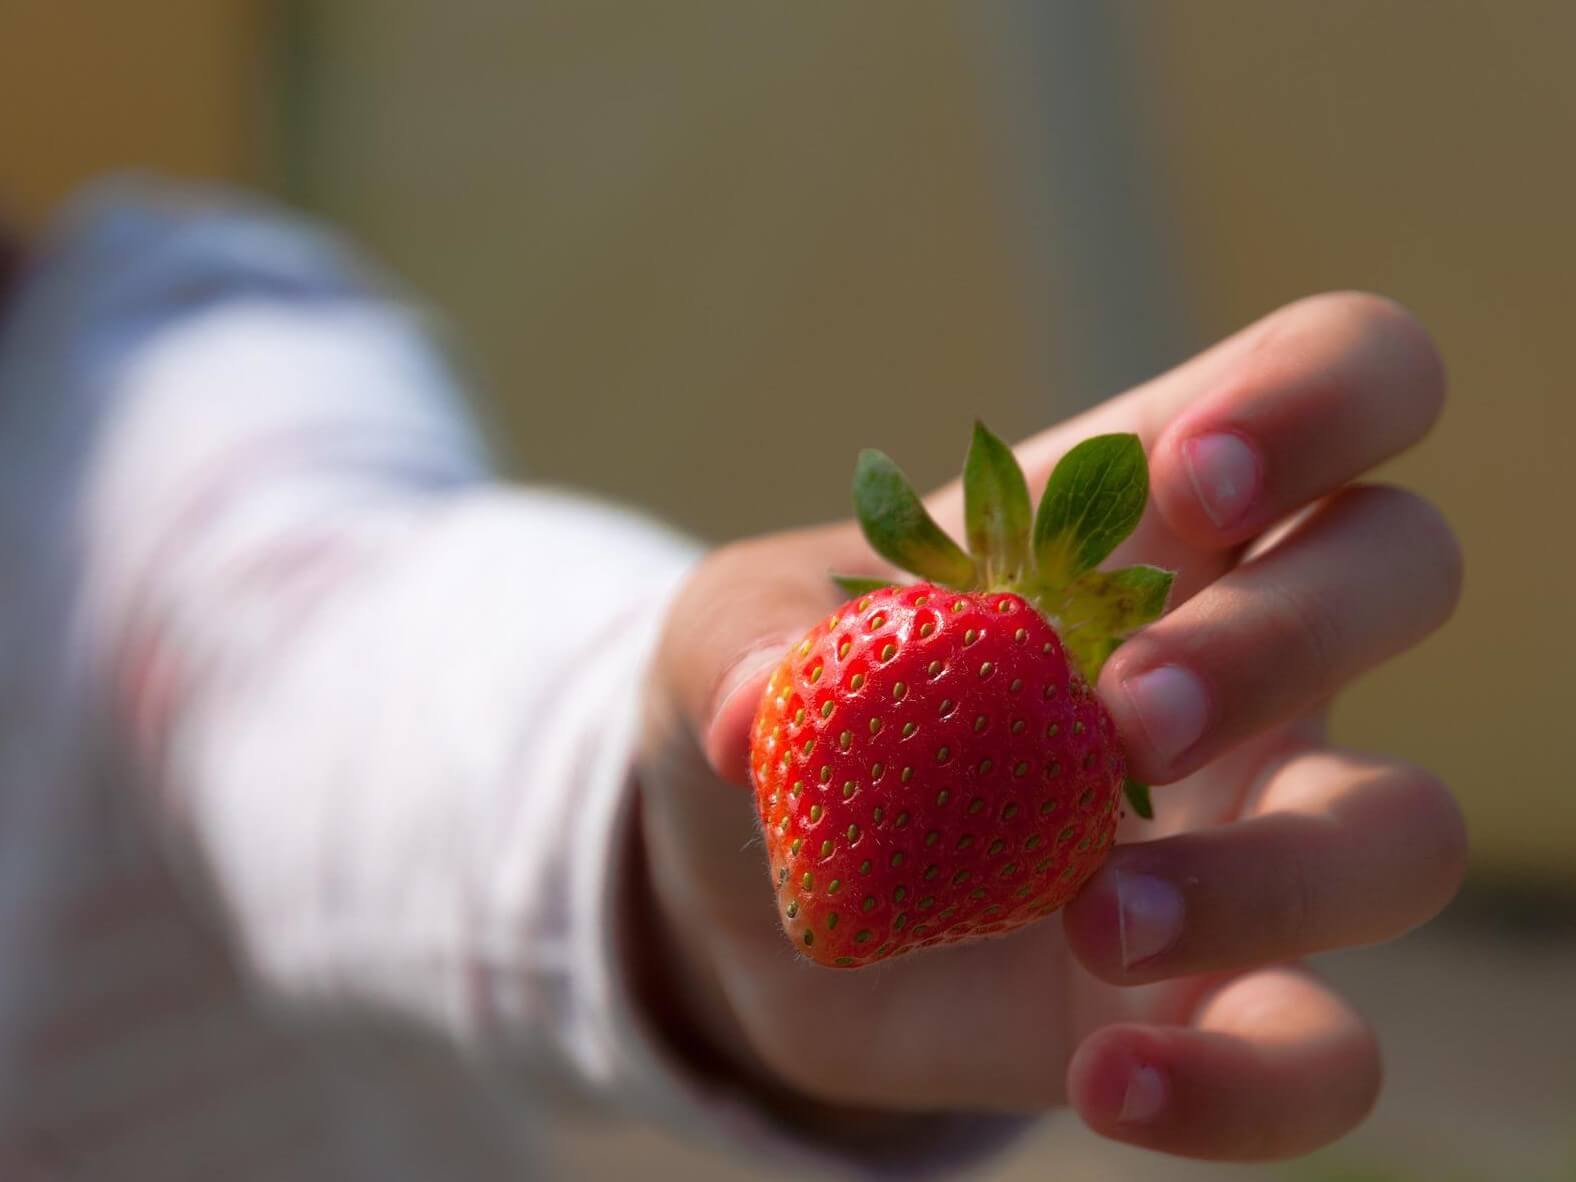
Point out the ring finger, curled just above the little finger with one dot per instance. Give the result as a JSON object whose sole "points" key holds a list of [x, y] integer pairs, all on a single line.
{"points": [[1344, 850]]}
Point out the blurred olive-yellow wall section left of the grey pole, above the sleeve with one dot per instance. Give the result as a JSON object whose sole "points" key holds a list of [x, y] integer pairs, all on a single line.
{"points": [[669, 231]]}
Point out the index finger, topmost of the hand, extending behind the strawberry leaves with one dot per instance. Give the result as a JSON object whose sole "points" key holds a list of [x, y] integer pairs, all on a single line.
{"points": [[1247, 433]]}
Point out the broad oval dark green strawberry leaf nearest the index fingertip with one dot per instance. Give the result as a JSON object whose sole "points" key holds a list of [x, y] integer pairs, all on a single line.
{"points": [[1091, 504]]}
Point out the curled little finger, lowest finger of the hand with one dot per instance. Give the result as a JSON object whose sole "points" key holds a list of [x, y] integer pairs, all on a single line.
{"points": [[1273, 1066]]}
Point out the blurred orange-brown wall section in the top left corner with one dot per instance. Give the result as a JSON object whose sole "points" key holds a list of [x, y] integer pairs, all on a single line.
{"points": [[98, 84]]}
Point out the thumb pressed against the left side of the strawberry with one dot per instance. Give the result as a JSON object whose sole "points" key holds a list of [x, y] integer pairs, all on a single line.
{"points": [[730, 626]]}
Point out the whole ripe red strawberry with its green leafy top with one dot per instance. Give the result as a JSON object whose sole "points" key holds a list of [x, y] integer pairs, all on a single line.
{"points": [[931, 765]]}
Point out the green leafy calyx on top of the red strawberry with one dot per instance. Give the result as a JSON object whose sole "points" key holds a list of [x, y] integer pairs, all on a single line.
{"points": [[1091, 504]]}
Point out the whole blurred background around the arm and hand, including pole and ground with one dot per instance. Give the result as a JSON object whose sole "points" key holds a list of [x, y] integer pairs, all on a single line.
{"points": [[658, 229]]}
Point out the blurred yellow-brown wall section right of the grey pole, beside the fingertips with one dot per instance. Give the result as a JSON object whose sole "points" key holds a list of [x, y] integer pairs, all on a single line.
{"points": [[1425, 151]]}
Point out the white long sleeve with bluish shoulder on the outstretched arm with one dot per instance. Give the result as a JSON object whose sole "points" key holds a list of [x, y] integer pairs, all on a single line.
{"points": [[382, 708]]}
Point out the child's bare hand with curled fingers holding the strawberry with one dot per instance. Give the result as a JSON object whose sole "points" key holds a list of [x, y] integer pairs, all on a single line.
{"points": [[1167, 1003]]}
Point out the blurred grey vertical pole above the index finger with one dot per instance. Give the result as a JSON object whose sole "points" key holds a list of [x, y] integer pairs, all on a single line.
{"points": [[1085, 193]]}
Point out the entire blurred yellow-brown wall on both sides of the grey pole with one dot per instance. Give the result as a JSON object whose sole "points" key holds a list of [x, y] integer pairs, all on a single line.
{"points": [[664, 229]]}
